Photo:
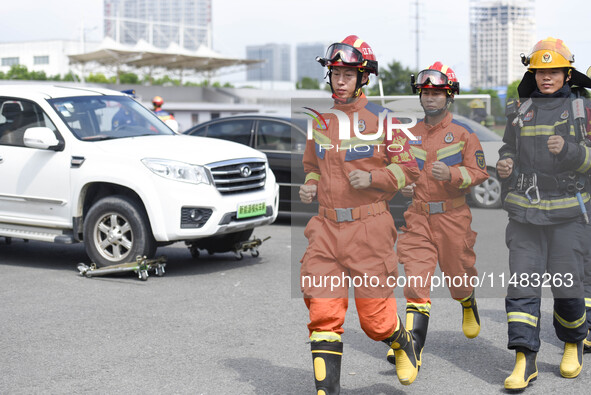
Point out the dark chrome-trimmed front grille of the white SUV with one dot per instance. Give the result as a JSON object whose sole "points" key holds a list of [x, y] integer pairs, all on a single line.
{"points": [[238, 175]]}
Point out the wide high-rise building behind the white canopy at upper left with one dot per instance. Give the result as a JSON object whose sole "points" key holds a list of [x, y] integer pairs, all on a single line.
{"points": [[186, 23]]}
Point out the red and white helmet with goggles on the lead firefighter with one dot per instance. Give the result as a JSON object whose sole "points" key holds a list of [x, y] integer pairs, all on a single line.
{"points": [[351, 52]]}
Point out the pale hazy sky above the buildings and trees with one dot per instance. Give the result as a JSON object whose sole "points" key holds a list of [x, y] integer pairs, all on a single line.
{"points": [[387, 25]]}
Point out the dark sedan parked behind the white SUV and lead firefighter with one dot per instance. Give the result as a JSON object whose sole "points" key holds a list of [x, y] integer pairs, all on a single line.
{"points": [[283, 141]]}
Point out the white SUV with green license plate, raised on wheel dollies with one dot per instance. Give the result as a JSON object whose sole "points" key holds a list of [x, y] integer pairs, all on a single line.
{"points": [[94, 166]]}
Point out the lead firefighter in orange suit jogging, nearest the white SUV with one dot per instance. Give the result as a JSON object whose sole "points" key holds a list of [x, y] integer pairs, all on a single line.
{"points": [[353, 235]]}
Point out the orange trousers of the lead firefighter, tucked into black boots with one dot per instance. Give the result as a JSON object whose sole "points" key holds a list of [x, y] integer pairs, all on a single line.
{"points": [[357, 254]]}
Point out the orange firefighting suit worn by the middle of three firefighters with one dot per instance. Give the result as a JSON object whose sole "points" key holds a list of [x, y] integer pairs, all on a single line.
{"points": [[438, 221]]}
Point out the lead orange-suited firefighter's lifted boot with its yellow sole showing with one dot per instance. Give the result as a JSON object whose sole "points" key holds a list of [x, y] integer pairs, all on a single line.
{"points": [[407, 366]]}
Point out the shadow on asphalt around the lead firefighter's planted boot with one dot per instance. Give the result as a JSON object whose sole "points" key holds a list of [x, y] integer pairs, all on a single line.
{"points": [[285, 380]]}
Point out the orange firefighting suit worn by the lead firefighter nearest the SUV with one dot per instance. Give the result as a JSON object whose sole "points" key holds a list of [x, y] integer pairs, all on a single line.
{"points": [[356, 243]]}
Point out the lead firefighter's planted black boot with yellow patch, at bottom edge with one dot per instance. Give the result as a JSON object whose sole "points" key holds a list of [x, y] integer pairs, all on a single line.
{"points": [[326, 357]]}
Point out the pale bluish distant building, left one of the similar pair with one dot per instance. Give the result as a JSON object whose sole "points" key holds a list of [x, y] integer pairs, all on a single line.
{"points": [[276, 65]]}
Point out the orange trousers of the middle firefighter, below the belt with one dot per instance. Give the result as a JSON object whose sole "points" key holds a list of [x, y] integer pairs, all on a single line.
{"points": [[445, 238]]}
